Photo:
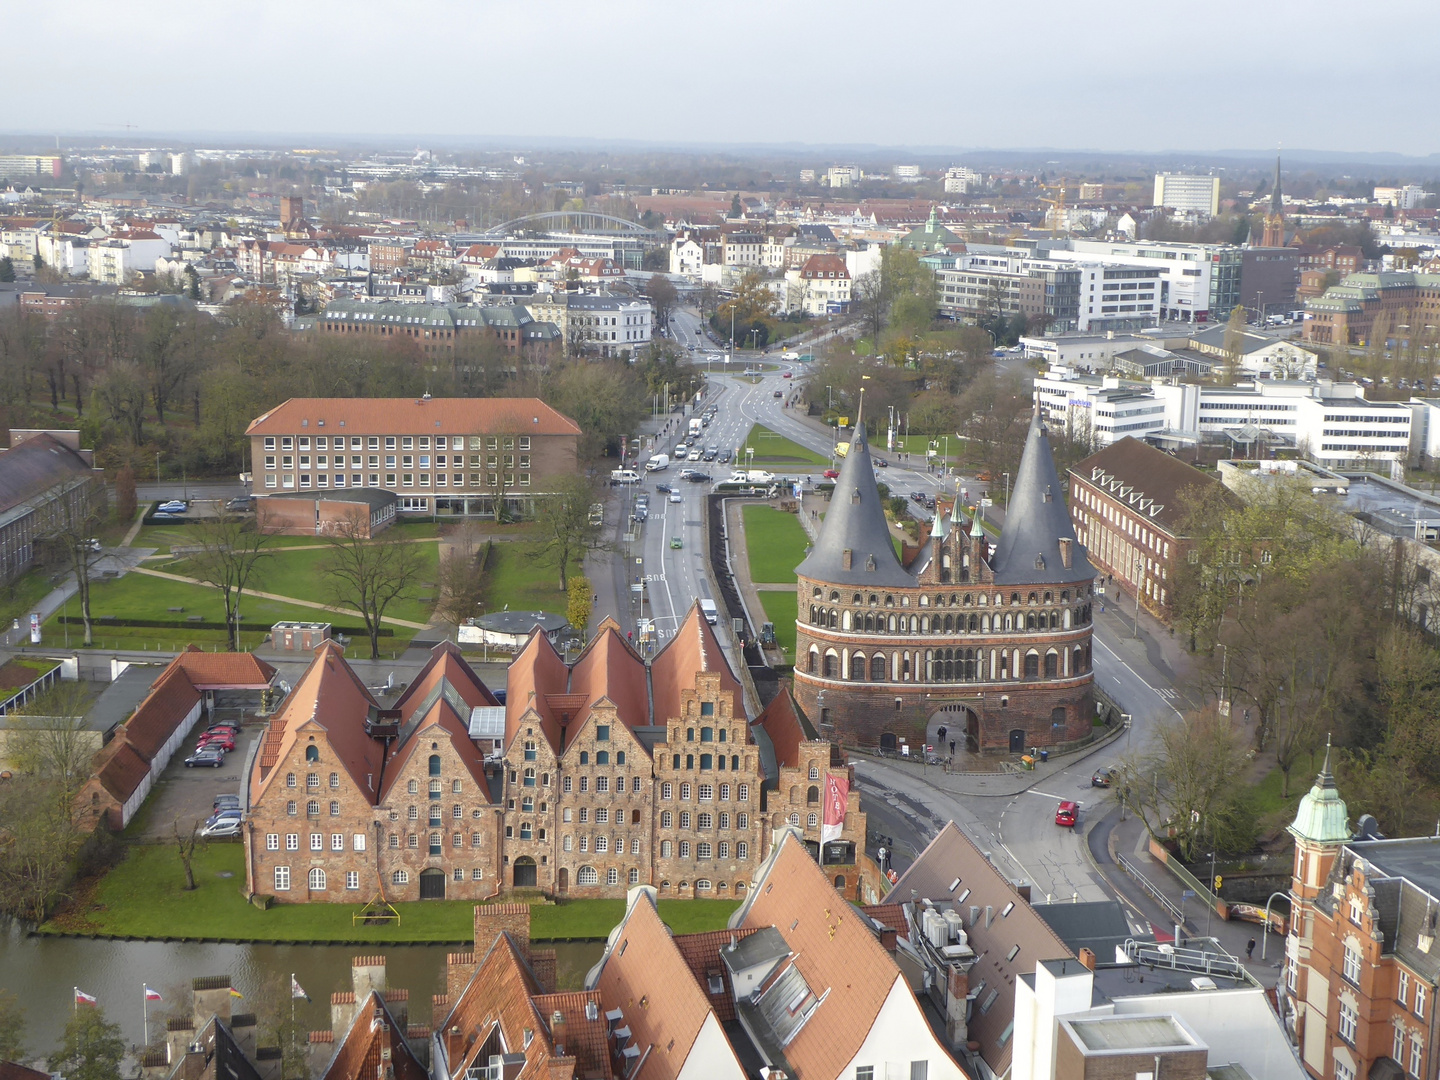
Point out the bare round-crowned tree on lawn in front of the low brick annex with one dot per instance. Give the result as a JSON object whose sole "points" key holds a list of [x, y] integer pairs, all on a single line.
{"points": [[371, 574]]}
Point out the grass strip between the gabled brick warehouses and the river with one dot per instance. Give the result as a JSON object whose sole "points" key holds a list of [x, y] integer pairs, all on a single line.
{"points": [[145, 898]]}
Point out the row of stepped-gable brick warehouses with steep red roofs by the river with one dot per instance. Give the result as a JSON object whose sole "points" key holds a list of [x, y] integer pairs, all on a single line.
{"points": [[614, 773]]}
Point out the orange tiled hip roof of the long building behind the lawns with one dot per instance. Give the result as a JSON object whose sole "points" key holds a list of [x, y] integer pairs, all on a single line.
{"points": [[421, 417]]}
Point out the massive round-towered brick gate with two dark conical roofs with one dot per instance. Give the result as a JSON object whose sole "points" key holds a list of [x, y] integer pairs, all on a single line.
{"points": [[990, 644]]}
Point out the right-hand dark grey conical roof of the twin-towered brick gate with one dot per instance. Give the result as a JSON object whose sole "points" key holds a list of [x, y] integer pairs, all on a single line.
{"points": [[1038, 521]]}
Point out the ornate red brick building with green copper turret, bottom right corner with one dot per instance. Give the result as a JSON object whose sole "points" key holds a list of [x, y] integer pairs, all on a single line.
{"points": [[1362, 970]]}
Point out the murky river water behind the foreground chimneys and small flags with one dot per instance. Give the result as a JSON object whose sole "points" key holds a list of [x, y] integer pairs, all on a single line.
{"points": [[44, 973]]}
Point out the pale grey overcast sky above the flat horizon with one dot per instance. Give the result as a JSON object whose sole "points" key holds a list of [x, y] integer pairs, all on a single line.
{"points": [[1108, 74]]}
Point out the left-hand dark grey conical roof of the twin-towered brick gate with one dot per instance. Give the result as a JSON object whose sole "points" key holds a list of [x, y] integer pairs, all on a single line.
{"points": [[855, 546]]}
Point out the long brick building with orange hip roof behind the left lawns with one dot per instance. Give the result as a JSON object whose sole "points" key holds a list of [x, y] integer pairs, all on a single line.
{"points": [[438, 456]]}
